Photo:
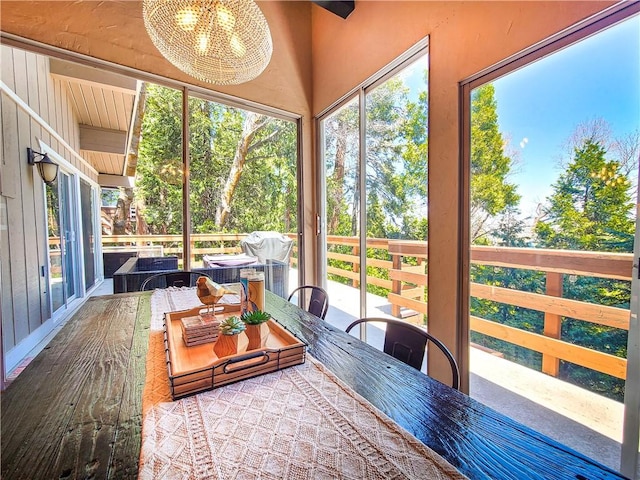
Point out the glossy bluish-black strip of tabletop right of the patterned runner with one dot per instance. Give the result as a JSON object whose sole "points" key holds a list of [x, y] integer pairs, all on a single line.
{"points": [[478, 441]]}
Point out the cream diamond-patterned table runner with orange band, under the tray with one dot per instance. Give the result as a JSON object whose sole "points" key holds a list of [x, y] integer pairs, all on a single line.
{"points": [[298, 423]]}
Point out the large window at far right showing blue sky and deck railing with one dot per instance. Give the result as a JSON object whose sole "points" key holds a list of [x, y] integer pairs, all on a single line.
{"points": [[552, 163]]}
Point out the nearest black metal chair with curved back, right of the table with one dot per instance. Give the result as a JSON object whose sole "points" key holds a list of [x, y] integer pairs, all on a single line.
{"points": [[408, 342]]}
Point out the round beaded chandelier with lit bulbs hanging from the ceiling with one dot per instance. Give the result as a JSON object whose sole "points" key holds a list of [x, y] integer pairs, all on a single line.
{"points": [[224, 42]]}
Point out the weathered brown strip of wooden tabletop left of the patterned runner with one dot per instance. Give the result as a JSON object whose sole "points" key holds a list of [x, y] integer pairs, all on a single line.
{"points": [[73, 413]]}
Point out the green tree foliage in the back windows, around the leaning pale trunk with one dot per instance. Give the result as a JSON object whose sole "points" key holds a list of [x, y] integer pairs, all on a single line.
{"points": [[265, 196]]}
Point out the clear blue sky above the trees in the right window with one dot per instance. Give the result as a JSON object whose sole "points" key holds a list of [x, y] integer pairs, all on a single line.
{"points": [[540, 105]]}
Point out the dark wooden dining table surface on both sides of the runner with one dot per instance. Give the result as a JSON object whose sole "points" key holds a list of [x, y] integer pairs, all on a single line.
{"points": [[75, 411]]}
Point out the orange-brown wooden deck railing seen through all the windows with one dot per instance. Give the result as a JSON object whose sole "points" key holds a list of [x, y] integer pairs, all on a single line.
{"points": [[404, 265]]}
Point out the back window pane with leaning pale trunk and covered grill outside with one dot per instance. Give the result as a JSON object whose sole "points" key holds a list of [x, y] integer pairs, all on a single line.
{"points": [[243, 177]]}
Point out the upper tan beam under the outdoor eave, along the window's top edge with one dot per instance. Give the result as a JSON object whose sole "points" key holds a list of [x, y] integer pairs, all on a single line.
{"points": [[74, 72]]}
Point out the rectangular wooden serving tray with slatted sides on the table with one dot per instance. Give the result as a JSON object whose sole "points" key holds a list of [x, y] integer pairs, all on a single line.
{"points": [[198, 368]]}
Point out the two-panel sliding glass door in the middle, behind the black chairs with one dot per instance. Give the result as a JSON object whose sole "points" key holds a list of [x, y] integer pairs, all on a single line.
{"points": [[374, 148]]}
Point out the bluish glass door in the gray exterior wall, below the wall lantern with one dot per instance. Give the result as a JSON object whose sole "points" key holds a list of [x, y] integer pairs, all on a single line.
{"points": [[62, 242]]}
